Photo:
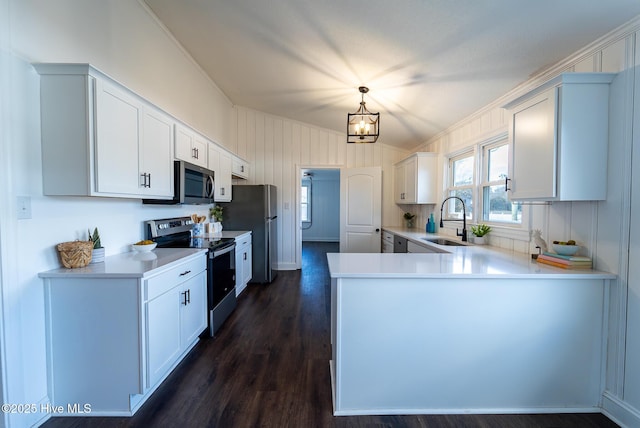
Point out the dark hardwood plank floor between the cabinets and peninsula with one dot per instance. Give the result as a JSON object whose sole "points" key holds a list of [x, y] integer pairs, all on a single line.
{"points": [[269, 367]]}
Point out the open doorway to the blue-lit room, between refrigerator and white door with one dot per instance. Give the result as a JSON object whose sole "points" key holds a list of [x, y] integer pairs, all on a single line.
{"points": [[317, 208]]}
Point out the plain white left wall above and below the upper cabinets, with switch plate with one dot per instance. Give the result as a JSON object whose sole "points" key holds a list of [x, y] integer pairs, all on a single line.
{"points": [[124, 41]]}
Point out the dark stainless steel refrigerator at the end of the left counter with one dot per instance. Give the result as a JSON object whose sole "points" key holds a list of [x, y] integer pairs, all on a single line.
{"points": [[253, 207]]}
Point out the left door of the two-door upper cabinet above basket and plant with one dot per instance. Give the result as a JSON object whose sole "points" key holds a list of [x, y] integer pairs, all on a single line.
{"points": [[118, 119]]}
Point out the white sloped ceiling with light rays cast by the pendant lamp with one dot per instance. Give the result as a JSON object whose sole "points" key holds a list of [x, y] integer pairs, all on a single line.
{"points": [[428, 63]]}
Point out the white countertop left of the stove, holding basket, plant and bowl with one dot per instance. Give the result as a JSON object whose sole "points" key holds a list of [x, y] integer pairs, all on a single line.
{"points": [[128, 265]]}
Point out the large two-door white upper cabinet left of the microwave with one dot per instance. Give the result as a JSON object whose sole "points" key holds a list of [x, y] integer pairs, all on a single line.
{"points": [[99, 138]]}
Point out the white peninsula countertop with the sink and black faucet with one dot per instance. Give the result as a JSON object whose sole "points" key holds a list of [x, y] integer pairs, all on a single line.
{"points": [[469, 261]]}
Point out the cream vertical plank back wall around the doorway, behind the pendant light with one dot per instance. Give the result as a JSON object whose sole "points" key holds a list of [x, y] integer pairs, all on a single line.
{"points": [[277, 147]]}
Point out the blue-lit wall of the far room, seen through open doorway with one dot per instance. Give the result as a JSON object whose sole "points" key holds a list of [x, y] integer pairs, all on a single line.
{"points": [[325, 208]]}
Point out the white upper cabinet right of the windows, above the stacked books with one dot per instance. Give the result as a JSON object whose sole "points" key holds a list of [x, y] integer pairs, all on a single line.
{"points": [[559, 138]]}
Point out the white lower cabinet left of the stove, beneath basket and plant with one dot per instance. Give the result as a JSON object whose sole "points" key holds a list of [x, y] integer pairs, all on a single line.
{"points": [[113, 336]]}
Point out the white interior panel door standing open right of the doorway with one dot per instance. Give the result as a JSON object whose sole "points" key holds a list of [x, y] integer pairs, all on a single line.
{"points": [[360, 210]]}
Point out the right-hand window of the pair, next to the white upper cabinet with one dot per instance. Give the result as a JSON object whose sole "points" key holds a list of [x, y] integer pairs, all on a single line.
{"points": [[496, 206]]}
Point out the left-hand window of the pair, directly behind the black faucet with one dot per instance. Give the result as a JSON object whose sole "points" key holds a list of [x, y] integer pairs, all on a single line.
{"points": [[461, 179]]}
